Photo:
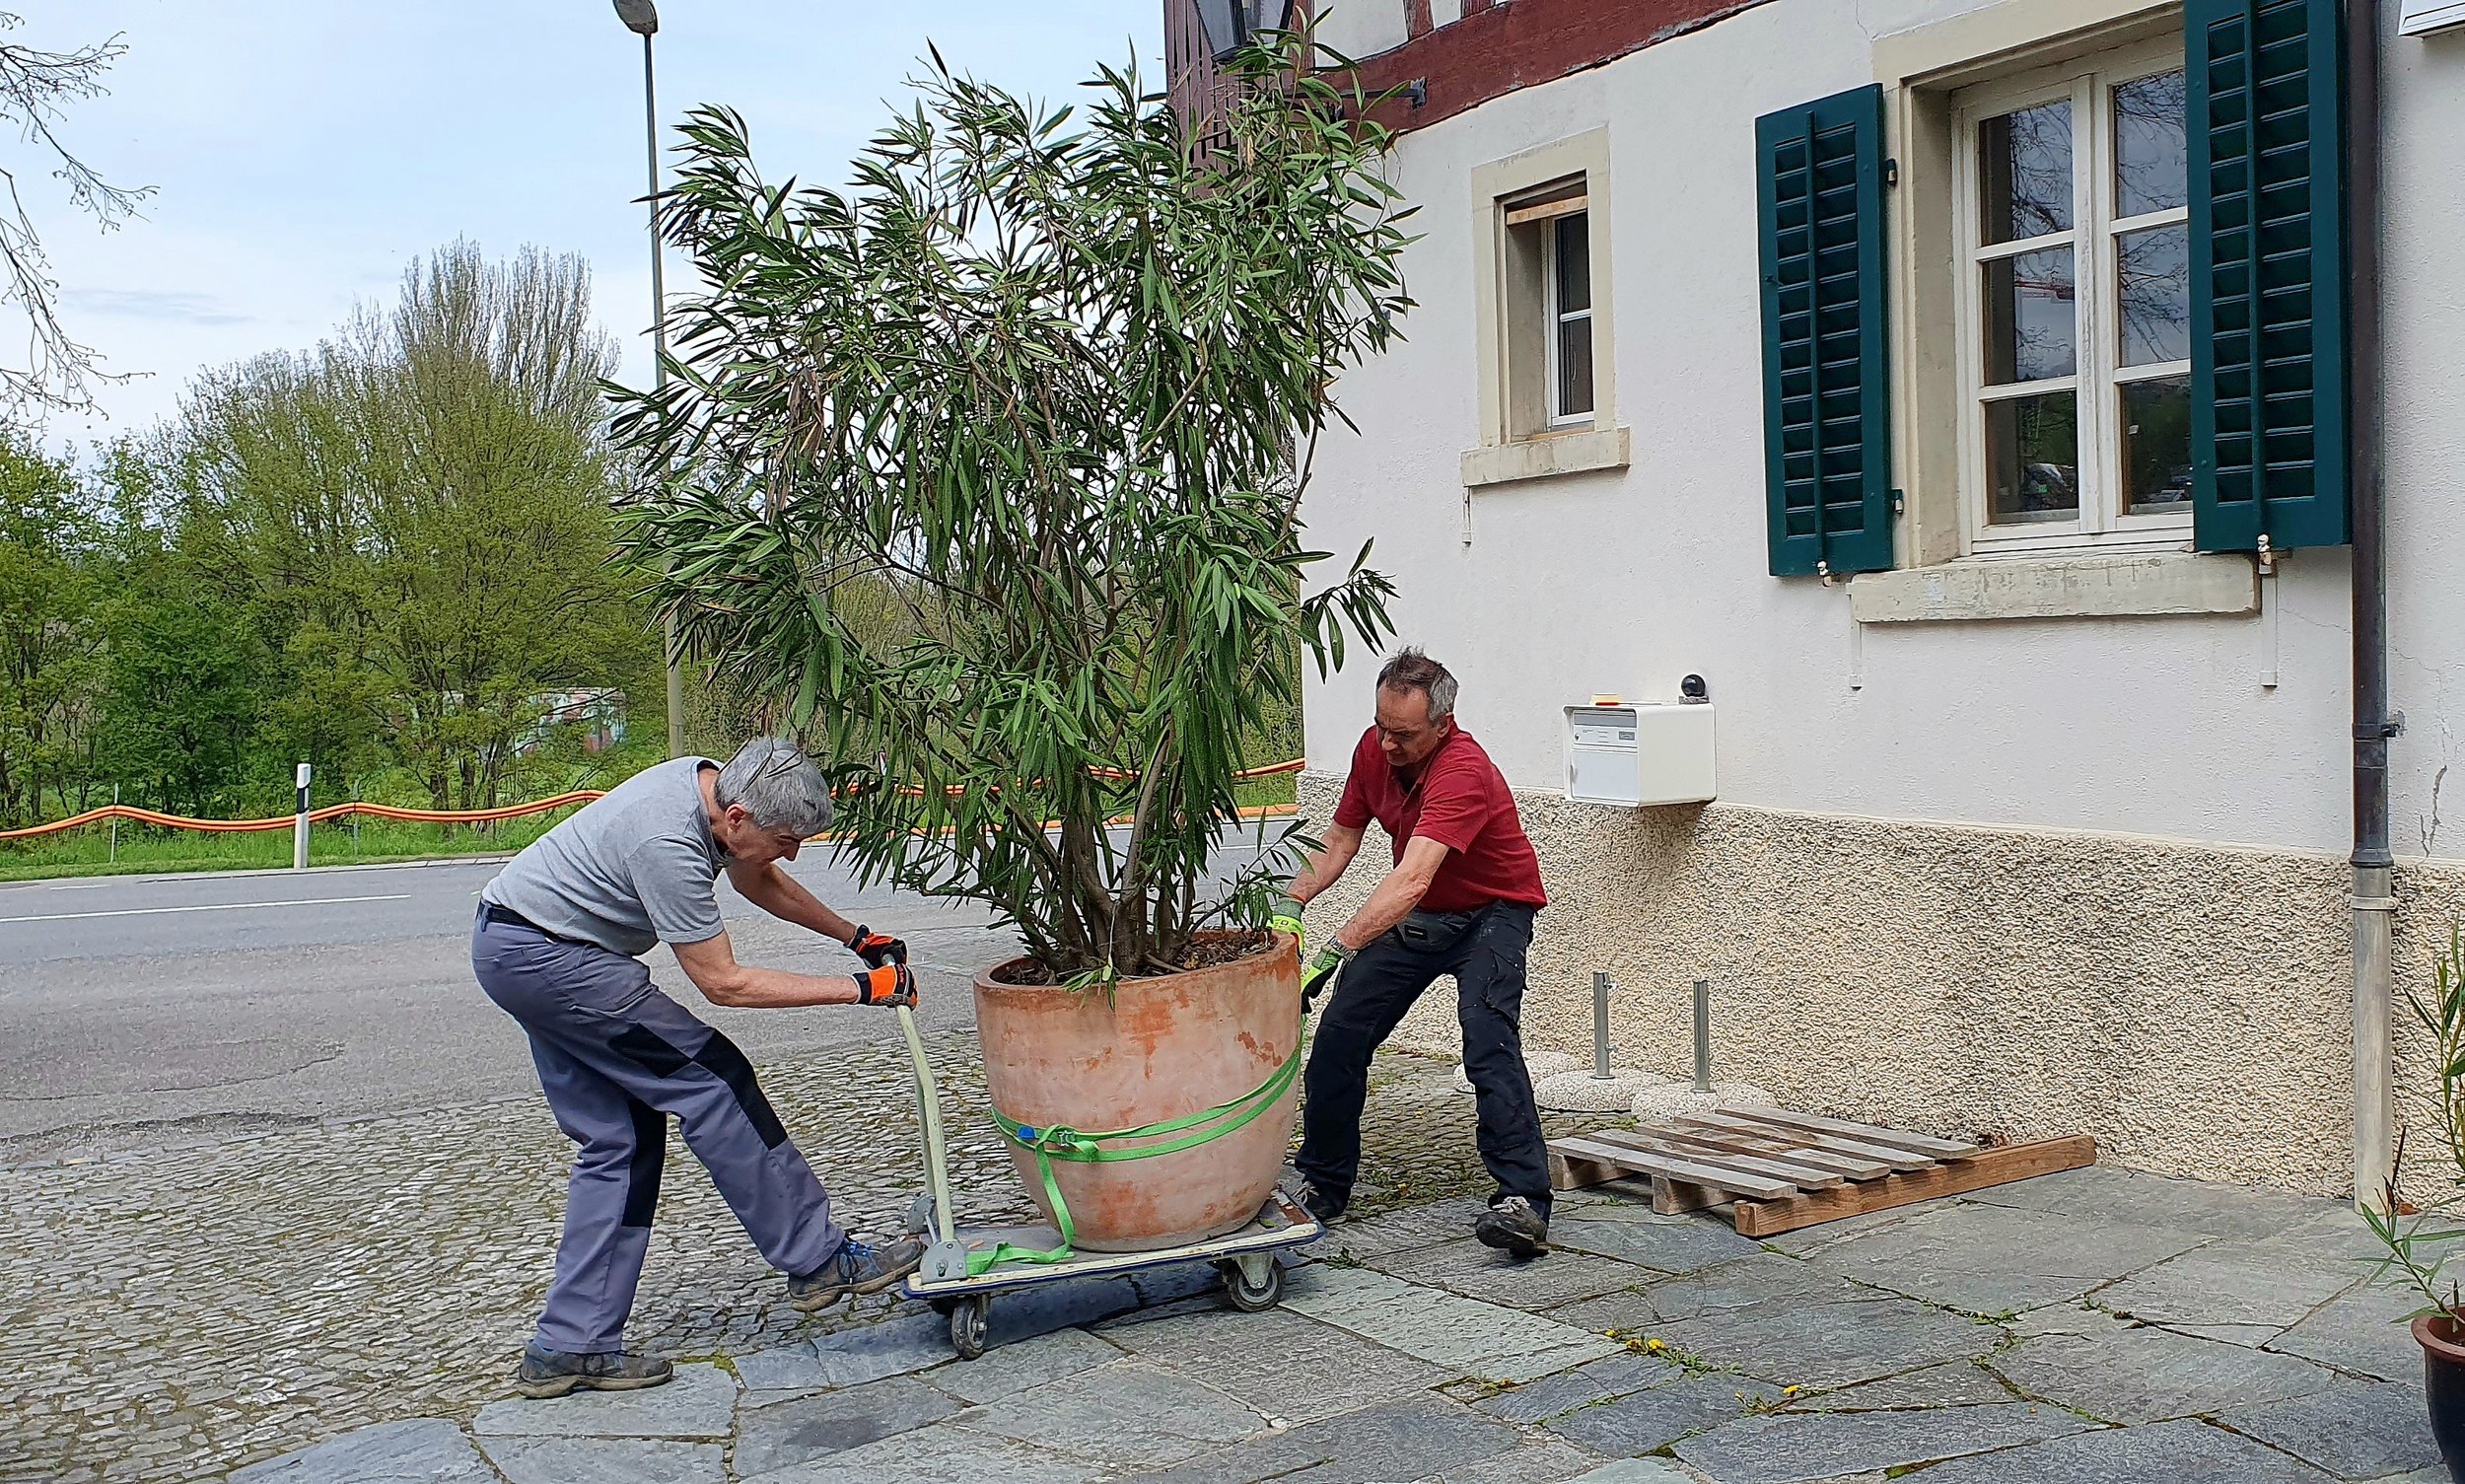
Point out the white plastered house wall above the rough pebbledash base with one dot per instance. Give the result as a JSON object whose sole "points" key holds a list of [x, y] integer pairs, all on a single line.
{"points": [[1633, 578]]}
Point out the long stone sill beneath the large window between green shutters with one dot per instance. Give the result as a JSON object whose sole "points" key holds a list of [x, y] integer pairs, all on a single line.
{"points": [[2060, 588]]}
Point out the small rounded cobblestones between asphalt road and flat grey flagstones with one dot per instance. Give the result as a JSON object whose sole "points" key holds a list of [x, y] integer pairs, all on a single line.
{"points": [[179, 1313]]}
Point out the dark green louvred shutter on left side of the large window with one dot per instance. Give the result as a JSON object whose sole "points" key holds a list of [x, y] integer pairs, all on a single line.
{"points": [[1825, 373]]}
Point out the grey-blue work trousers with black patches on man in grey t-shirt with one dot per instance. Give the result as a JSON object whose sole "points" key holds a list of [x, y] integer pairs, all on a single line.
{"points": [[617, 1059]]}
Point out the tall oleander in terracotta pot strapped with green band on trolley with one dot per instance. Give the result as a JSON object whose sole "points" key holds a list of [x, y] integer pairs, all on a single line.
{"points": [[990, 467]]}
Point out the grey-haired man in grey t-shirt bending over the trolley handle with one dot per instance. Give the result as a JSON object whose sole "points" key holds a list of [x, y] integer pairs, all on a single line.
{"points": [[558, 948]]}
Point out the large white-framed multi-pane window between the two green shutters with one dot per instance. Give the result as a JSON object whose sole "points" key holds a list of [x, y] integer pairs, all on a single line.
{"points": [[2077, 307]]}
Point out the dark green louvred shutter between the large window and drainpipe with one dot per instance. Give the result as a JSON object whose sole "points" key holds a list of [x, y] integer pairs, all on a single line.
{"points": [[2269, 420]]}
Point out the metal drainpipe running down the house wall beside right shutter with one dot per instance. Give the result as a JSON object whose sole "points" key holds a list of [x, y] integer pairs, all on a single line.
{"points": [[2375, 903]]}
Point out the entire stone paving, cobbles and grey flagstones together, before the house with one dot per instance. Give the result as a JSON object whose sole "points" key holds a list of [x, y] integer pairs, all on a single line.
{"points": [[339, 1308]]}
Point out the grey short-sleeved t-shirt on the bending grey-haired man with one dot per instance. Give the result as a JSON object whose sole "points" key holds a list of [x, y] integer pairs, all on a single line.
{"points": [[627, 871]]}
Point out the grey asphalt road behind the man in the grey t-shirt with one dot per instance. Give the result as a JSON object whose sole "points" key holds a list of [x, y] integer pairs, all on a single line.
{"points": [[139, 1012]]}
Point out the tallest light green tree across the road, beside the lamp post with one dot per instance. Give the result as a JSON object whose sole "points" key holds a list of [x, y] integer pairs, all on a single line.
{"points": [[415, 516]]}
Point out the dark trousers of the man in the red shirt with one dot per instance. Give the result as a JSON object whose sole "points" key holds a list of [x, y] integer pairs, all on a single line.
{"points": [[1485, 953]]}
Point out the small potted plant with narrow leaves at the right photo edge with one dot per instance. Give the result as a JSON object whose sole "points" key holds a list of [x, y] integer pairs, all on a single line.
{"points": [[2424, 1239]]}
